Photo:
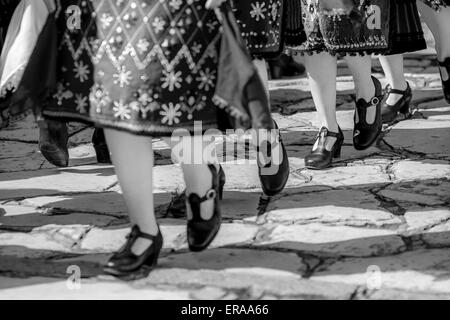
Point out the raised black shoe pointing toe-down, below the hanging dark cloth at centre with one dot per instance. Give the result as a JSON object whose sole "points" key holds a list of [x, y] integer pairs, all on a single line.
{"points": [[275, 183]]}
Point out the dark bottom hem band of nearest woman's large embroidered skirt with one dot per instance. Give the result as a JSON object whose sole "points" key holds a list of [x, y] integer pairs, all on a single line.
{"points": [[136, 129]]}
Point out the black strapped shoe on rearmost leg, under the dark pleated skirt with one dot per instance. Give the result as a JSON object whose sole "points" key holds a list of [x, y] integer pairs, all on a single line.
{"points": [[390, 112]]}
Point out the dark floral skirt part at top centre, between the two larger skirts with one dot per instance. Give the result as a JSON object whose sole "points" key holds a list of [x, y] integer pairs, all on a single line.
{"points": [[262, 26]]}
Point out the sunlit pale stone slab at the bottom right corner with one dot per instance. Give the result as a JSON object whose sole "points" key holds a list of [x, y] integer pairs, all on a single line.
{"points": [[422, 270]]}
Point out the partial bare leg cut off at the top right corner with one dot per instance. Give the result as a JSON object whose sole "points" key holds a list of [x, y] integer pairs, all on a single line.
{"points": [[439, 24]]}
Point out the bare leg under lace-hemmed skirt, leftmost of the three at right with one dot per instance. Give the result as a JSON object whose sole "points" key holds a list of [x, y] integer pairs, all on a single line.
{"points": [[322, 72]]}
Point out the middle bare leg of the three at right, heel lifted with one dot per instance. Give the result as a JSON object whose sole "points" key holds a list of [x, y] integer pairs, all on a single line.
{"points": [[361, 68]]}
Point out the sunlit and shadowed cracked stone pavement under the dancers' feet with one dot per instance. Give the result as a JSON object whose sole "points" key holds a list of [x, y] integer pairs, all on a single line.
{"points": [[375, 226]]}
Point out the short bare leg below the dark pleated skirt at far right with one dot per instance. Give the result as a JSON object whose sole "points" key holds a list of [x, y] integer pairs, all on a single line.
{"points": [[395, 75]]}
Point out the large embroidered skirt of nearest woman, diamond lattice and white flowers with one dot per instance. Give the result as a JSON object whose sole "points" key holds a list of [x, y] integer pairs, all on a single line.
{"points": [[144, 66]]}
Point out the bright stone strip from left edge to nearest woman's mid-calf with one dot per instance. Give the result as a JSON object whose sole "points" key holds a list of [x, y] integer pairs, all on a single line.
{"points": [[54, 182]]}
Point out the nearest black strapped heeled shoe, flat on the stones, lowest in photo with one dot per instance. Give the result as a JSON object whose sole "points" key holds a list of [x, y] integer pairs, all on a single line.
{"points": [[125, 262]]}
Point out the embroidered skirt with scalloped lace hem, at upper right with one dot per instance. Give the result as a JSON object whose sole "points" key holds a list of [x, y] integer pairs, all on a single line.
{"points": [[351, 27]]}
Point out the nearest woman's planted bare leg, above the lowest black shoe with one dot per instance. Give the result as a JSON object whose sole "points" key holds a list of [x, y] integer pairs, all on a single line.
{"points": [[135, 175]]}
